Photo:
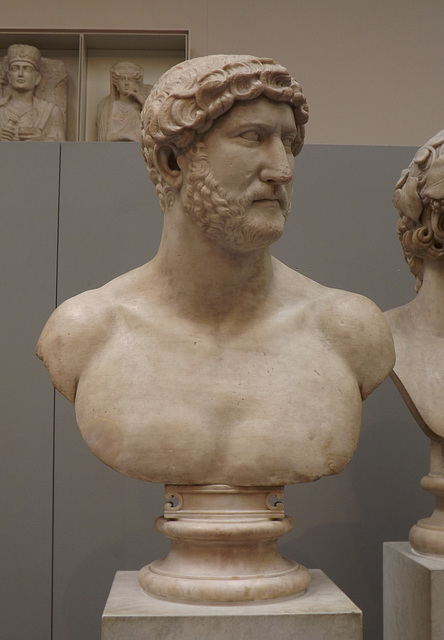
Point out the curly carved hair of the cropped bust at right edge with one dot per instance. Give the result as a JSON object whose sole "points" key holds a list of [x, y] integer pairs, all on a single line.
{"points": [[419, 198]]}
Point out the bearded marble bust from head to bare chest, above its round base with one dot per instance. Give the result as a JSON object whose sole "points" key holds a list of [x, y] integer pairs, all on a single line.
{"points": [[214, 364]]}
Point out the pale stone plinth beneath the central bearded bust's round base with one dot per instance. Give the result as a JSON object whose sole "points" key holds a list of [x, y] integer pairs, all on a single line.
{"points": [[324, 611]]}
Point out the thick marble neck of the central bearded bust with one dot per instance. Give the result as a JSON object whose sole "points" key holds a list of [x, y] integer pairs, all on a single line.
{"points": [[206, 280]]}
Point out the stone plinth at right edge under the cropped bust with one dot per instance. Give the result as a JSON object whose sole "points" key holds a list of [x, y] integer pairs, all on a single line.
{"points": [[413, 594]]}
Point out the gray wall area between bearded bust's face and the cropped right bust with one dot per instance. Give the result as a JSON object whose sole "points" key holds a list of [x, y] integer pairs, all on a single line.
{"points": [[342, 227]]}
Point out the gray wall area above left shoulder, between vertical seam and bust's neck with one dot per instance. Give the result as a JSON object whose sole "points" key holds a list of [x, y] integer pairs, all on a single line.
{"points": [[110, 221]]}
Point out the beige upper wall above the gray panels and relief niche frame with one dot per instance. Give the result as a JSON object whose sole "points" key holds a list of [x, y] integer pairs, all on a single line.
{"points": [[372, 71]]}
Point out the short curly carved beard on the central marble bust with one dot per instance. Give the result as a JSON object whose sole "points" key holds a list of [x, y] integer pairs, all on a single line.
{"points": [[226, 219]]}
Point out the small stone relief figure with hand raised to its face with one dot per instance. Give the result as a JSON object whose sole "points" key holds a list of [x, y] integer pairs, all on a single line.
{"points": [[118, 115]]}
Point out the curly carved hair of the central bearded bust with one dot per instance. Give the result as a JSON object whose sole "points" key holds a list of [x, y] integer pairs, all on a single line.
{"points": [[188, 98]]}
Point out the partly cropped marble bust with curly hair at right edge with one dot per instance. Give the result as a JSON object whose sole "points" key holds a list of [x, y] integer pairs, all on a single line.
{"points": [[418, 326]]}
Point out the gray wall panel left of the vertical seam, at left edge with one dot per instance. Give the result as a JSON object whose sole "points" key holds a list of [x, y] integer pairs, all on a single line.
{"points": [[29, 196]]}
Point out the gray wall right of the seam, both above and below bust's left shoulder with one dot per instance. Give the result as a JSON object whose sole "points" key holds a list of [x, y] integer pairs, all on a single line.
{"points": [[110, 222]]}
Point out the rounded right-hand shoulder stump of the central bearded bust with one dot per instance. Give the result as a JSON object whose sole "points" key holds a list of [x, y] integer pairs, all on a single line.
{"points": [[358, 330]]}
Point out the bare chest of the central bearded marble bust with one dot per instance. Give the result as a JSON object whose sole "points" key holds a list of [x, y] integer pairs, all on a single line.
{"points": [[260, 407]]}
